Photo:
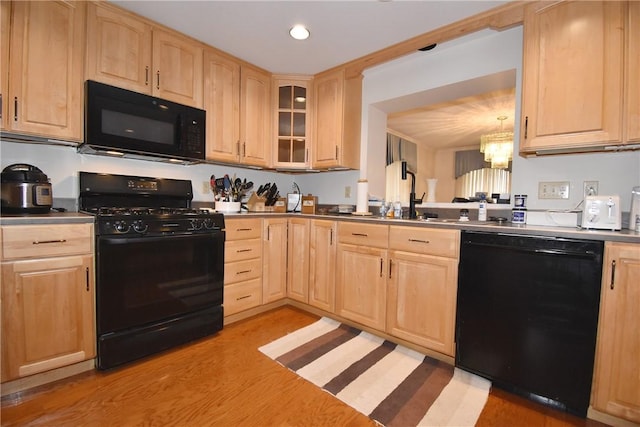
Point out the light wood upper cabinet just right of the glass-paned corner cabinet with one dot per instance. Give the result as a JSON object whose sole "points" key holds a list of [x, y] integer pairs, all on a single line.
{"points": [[338, 103]]}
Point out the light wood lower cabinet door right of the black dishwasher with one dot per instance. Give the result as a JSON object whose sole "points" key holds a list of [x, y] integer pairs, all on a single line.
{"points": [[616, 387]]}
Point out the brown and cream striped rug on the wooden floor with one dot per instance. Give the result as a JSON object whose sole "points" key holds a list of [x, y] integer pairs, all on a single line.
{"points": [[393, 385]]}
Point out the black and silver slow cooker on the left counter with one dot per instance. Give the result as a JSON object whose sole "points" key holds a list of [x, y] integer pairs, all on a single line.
{"points": [[25, 189]]}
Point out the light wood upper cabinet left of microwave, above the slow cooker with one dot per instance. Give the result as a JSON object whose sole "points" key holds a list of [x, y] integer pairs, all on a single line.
{"points": [[44, 92]]}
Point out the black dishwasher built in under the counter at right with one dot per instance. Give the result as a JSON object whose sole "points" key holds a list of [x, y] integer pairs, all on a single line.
{"points": [[527, 314]]}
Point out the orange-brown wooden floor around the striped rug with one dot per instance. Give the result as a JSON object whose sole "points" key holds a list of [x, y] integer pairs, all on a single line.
{"points": [[224, 381]]}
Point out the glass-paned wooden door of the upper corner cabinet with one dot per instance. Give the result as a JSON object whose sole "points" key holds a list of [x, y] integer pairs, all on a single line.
{"points": [[292, 123]]}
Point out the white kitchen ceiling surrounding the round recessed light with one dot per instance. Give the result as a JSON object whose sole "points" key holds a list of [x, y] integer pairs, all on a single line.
{"points": [[341, 31]]}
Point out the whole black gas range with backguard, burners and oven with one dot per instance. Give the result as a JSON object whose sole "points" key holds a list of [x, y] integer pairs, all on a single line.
{"points": [[159, 265]]}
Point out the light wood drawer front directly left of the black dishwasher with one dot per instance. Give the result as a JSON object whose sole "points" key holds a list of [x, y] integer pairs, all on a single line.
{"points": [[431, 241]]}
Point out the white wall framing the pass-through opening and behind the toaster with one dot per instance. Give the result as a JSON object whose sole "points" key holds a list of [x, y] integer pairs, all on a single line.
{"points": [[469, 58]]}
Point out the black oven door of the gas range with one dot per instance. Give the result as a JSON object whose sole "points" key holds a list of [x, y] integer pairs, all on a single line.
{"points": [[143, 280]]}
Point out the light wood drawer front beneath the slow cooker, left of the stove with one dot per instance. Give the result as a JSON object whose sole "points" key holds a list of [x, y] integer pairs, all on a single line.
{"points": [[26, 241]]}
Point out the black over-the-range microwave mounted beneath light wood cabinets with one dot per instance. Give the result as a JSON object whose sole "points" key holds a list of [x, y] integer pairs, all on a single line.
{"points": [[120, 122]]}
